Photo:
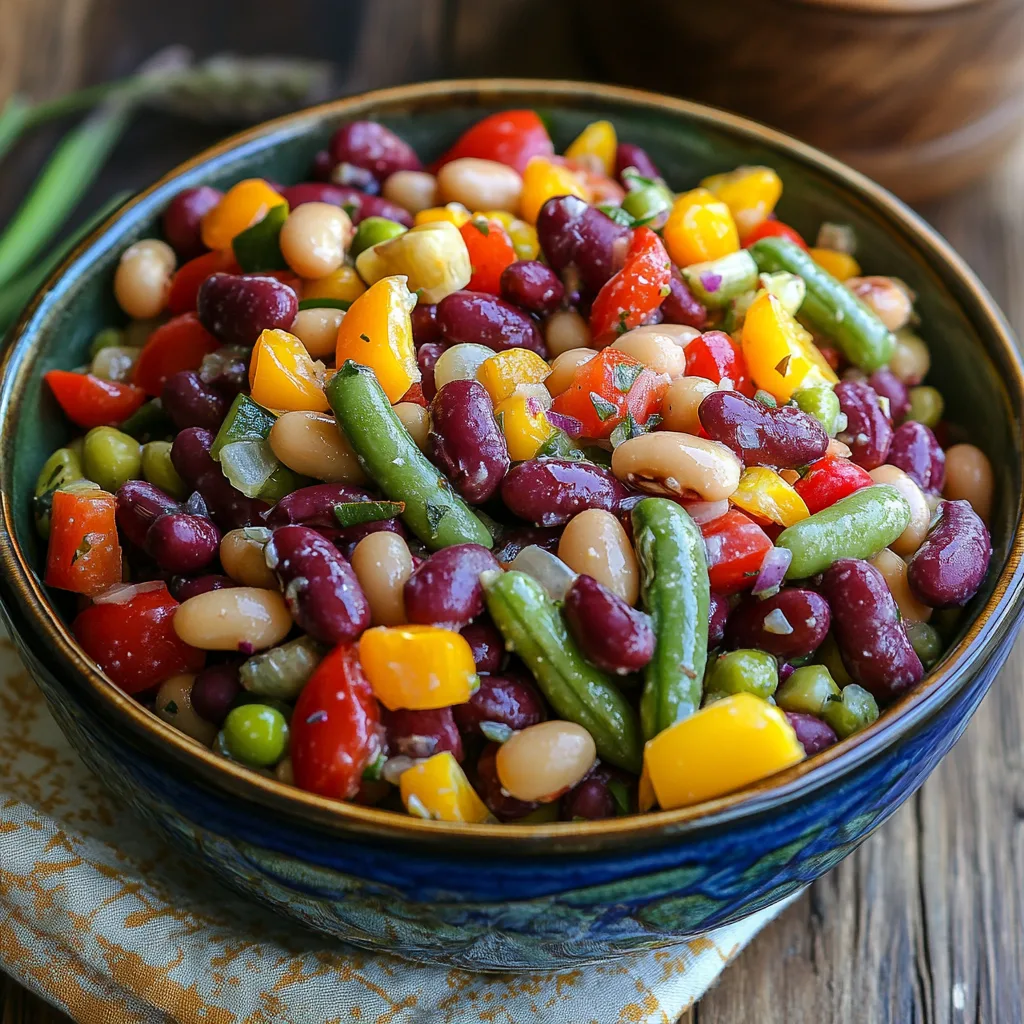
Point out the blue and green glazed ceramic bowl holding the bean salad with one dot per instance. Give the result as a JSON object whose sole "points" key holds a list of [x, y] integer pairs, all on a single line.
{"points": [[504, 897]]}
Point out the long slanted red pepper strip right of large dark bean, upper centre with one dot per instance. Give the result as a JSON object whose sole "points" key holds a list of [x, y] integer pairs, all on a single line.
{"points": [[634, 293]]}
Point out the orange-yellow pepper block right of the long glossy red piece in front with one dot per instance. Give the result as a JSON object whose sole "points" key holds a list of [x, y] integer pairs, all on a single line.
{"points": [[418, 667]]}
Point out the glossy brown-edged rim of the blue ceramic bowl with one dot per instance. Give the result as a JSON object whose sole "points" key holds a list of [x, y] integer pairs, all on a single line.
{"points": [[57, 649]]}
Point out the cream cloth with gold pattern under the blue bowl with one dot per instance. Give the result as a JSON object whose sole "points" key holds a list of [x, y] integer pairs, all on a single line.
{"points": [[103, 919]]}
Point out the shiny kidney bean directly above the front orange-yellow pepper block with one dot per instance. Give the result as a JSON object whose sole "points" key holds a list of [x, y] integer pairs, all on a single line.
{"points": [[446, 589]]}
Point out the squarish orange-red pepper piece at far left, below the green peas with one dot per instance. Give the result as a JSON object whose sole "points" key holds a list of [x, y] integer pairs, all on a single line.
{"points": [[84, 554]]}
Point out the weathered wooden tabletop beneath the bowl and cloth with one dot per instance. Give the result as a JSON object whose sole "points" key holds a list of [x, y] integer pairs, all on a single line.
{"points": [[926, 922]]}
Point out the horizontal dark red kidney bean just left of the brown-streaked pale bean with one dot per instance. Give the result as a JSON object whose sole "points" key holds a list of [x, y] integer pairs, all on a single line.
{"points": [[550, 492]]}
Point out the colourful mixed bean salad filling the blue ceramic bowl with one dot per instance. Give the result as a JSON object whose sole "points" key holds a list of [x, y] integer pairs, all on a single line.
{"points": [[521, 488]]}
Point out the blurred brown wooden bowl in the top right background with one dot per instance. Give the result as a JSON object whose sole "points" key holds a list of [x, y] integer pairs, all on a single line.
{"points": [[922, 96]]}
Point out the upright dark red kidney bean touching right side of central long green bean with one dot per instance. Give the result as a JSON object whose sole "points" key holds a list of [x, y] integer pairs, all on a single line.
{"points": [[465, 442]]}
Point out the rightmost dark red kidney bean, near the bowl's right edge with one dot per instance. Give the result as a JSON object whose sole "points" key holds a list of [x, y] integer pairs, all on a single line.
{"points": [[950, 567]]}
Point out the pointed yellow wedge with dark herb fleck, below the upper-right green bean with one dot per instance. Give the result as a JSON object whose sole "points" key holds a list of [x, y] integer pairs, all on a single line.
{"points": [[780, 354]]}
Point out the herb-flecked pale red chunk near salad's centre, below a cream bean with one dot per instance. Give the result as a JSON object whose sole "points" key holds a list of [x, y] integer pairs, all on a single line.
{"points": [[608, 389]]}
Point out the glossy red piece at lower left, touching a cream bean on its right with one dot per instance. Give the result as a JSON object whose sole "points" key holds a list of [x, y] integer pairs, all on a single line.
{"points": [[135, 642]]}
